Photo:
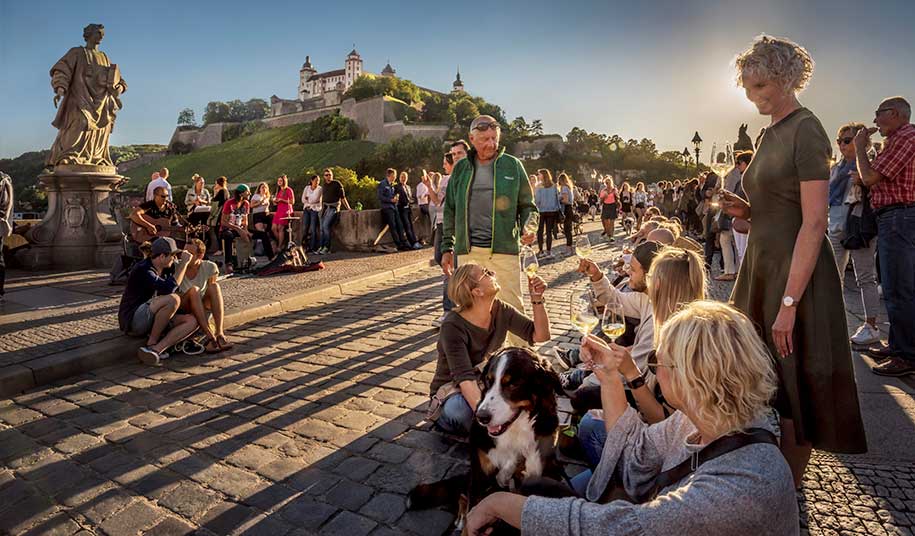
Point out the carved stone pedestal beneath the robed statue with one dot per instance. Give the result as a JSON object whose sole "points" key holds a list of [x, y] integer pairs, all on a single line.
{"points": [[79, 230]]}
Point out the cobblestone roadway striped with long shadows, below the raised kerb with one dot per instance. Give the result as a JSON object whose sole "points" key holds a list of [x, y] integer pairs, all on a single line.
{"points": [[311, 425]]}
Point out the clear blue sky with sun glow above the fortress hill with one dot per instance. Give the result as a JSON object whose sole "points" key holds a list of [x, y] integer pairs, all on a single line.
{"points": [[657, 69]]}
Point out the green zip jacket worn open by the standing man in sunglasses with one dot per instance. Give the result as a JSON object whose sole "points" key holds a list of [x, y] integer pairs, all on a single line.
{"points": [[512, 204]]}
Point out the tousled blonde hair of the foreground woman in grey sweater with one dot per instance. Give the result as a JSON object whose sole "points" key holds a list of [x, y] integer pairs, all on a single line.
{"points": [[720, 369]]}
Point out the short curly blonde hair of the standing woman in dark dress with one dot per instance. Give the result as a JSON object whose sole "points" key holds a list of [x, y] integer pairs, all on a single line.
{"points": [[777, 59]]}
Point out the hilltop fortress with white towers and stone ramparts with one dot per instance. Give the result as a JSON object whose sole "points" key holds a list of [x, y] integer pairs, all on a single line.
{"points": [[319, 94]]}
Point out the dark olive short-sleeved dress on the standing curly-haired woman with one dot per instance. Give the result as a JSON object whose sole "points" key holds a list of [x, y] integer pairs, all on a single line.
{"points": [[817, 382]]}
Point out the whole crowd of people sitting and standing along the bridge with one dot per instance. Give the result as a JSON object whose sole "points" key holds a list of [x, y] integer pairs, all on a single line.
{"points": [[700, 406]]}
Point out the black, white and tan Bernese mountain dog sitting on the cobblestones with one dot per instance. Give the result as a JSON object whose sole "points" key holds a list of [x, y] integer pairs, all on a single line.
{"points": [[512, 438]]}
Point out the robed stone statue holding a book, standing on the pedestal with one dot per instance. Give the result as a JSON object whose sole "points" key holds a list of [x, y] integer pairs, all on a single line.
{"points": [[87, 87]]}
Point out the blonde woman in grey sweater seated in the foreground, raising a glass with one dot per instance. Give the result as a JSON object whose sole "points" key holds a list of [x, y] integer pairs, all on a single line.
{"points": [[712, 366]]}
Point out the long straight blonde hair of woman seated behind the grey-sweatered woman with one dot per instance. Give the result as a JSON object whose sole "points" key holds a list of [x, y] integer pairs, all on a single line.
{"points": [[676, 278]]}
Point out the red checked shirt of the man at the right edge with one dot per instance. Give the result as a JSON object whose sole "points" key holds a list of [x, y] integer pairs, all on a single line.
{"points": [[896, 162]]}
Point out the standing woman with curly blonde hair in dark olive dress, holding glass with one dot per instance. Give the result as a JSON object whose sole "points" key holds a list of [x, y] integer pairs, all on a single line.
{"points": [[788, 283]]}
